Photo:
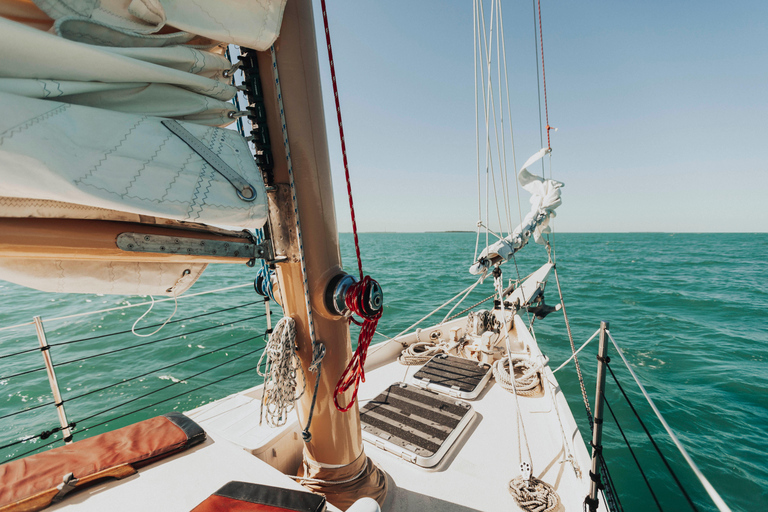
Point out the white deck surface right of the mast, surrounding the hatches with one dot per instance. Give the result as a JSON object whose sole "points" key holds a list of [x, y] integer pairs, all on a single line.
{"points": [[475, 473]]}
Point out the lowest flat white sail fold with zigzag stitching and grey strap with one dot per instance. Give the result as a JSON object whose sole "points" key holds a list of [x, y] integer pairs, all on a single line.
{"points": [[60, 152]]}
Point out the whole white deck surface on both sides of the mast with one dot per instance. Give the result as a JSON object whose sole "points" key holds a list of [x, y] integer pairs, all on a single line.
{"points": [[472, 476]]}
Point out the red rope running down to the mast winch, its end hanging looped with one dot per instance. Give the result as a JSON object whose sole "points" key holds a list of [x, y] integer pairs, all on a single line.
{"points": [[354, 373]]}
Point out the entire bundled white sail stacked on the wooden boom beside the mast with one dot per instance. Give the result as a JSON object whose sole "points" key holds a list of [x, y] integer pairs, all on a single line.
{"points": [[84, 88]]}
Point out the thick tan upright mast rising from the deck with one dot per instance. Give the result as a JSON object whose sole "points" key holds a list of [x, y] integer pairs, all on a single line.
{"points": [[336, 436]]}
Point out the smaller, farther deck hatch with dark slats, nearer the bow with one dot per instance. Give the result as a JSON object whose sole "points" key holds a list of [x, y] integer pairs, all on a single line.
{"points": [[453, 376]]}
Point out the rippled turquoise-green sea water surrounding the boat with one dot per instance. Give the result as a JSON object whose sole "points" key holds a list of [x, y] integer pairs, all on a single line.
{"points": [[689, 310]]}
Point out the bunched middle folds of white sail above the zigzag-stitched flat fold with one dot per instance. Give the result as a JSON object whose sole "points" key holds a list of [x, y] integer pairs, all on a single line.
{"points": [[180, 82]]}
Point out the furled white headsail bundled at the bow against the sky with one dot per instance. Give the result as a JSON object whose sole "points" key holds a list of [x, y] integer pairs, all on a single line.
{"points": [[545, 197]]}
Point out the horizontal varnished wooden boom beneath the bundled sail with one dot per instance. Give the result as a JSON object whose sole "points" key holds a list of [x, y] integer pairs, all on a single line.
{"points": [[75, 239]]}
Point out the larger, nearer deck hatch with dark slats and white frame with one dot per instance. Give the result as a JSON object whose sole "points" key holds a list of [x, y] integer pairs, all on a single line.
{"points": [[417, 424]]}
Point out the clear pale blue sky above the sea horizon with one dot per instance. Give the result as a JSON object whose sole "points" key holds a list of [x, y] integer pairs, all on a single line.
{"points": [[661, 112]]}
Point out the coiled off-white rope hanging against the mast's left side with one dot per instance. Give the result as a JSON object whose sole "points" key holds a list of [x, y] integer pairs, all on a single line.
{"points": [[281, 368]]}
